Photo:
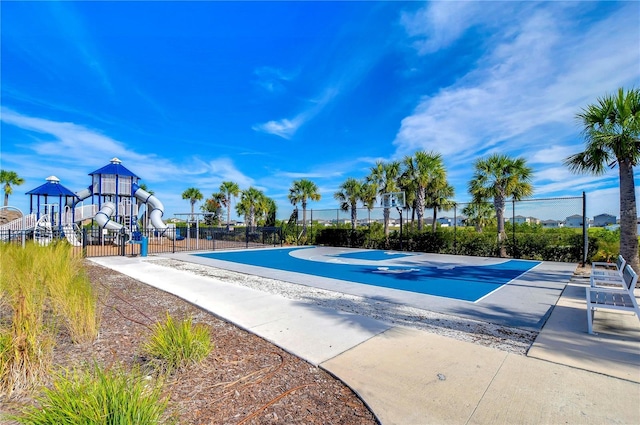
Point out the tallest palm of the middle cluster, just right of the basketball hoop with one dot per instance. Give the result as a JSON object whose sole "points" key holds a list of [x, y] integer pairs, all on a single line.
{"points": [[423, 169]]}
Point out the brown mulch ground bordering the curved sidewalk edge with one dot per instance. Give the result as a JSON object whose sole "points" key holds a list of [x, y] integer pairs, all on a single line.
{"points": [[245, 380]]}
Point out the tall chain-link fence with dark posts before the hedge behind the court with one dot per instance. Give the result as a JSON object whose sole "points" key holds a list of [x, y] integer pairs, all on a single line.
{"points": [[552, 229]]}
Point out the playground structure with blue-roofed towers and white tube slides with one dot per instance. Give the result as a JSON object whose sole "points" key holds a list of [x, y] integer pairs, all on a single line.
{"points": [[115, 199]]}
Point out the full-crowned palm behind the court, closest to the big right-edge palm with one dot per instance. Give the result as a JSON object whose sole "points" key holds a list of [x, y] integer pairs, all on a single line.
{"points": [[498, 177]]}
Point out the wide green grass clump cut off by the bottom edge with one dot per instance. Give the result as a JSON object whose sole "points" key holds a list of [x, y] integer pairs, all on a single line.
{"points": [[97, 396]]}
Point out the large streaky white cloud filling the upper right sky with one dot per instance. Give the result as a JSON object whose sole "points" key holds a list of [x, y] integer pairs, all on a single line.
{"points": [[539, 68]]}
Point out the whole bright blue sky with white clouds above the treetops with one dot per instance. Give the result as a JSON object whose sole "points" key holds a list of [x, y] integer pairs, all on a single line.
{"points": [[190, 94]]}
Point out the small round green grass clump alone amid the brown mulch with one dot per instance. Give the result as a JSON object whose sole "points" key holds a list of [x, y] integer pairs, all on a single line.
{"points": [[174, 345]]}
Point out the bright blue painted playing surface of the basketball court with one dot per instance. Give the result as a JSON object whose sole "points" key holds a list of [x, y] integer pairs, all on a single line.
{"points": [[462, 282]]}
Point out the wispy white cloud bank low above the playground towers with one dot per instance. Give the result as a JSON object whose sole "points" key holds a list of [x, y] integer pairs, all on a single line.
{"points": [[71, 151]]}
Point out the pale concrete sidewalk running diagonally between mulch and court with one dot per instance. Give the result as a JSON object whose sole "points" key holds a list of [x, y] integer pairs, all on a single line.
{"points": [[408, 376]]}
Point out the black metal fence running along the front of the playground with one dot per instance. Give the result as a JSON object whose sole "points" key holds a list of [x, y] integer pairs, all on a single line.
{"points": [[98, 242]]}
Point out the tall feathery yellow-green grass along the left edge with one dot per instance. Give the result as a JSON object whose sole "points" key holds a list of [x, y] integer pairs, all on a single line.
{"points": [[41, 289]]}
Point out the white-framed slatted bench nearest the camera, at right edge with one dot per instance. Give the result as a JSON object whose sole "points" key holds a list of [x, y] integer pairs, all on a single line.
{"points": [[620, 298]]}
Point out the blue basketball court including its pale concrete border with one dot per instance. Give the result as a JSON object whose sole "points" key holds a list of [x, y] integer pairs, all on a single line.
{"points": [[504, 291]]}
